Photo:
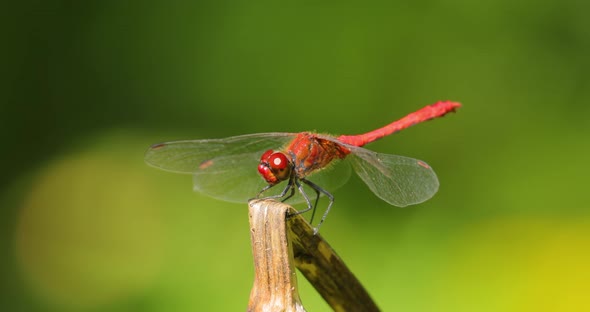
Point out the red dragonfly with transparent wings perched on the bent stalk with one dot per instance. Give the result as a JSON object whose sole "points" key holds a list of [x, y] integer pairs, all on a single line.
{"points": [[237, 168]]}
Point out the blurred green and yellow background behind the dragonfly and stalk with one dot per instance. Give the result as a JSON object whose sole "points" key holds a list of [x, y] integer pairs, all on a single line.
{"points": [[88, 86]]}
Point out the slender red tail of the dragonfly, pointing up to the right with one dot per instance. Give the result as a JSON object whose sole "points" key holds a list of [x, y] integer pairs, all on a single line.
{"points": [[435, 110]]}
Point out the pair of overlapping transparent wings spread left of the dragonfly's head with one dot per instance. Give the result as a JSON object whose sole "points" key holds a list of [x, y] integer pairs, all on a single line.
{"points": [[225, 169]]}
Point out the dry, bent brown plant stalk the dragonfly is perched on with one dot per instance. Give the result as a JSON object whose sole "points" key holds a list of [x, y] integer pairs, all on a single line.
{"points": [[311, 254]]}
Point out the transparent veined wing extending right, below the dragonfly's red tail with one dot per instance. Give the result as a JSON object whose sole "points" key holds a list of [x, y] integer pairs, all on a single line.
{"points": [[400, 181]]}
